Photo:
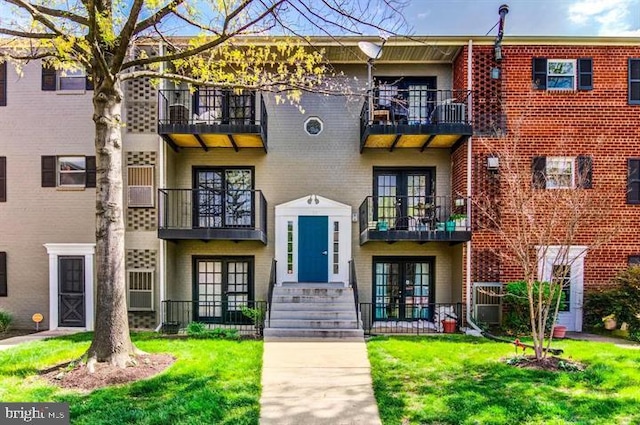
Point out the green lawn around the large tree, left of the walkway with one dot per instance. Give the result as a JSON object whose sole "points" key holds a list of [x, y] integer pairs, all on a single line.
{"points": [[212, 382]]}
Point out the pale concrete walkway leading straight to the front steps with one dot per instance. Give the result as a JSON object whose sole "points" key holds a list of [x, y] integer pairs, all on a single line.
{"points": [[317, 383]]}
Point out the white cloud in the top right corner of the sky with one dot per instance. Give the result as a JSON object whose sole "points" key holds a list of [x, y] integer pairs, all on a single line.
{"points": [[607, 17]]}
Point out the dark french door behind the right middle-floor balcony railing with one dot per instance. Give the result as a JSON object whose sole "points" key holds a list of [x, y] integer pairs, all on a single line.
{"points": [[401, 193]]}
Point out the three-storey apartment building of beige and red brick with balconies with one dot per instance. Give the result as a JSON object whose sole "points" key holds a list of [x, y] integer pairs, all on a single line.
{"points": [[228, 192]]}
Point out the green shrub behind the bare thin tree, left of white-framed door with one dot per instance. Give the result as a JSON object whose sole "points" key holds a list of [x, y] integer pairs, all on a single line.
{"points": [[516, 319]]}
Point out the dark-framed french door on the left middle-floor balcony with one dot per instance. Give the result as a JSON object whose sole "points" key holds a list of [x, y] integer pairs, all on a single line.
{"points": [[223, 198]]}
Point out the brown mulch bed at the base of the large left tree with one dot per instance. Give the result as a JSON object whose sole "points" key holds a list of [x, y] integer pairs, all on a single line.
{"points": [[75, 375]]}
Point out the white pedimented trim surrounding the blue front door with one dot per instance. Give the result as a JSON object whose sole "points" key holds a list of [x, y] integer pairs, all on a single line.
{"points": [[313, 205]]}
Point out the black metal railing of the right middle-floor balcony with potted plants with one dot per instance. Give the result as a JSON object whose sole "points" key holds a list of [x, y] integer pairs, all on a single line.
{"points": [[415, 213]]}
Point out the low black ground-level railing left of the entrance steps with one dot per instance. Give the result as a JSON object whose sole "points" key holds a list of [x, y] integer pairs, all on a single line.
{"points": [[176, 315]]}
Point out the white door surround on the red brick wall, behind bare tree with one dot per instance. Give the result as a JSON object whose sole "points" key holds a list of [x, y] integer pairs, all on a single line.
{"points": [[574, 257]]}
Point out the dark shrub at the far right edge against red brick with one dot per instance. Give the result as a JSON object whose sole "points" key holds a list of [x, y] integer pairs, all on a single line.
{"points": [[622, 301]]}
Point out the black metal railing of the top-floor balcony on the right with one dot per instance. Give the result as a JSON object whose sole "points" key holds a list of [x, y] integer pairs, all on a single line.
{"points": [[417, 107]]}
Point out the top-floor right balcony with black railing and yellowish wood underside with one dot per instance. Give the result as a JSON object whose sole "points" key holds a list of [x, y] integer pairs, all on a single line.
{"points": [[415, 118]]}
